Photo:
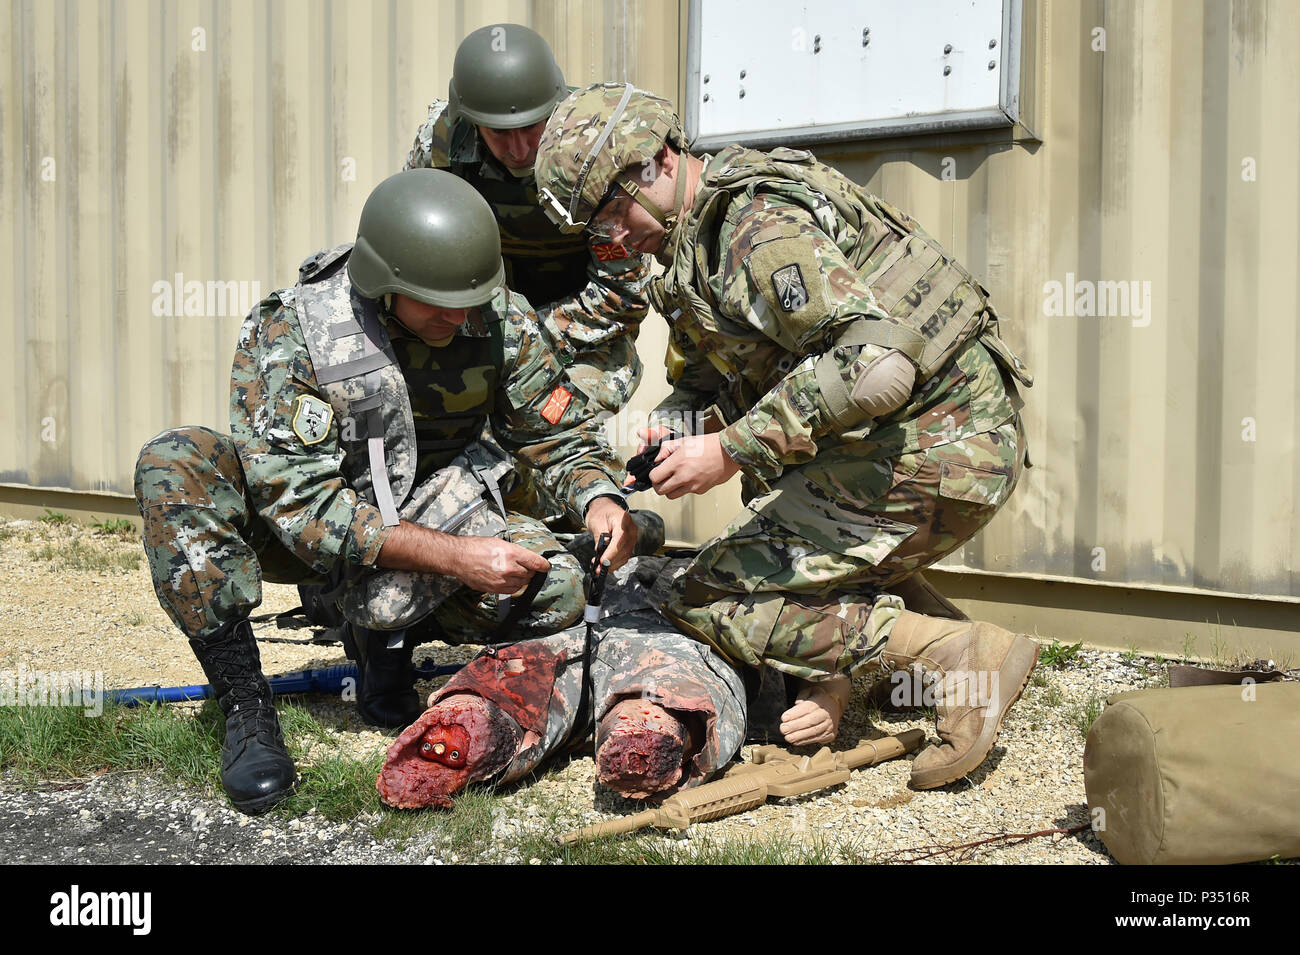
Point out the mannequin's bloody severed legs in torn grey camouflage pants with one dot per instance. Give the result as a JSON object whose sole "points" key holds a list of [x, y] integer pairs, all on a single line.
{"points": [[668, 711]]}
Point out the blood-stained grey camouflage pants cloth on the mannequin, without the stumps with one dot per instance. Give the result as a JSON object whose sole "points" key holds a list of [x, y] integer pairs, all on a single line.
{"points": [[635, 656]]}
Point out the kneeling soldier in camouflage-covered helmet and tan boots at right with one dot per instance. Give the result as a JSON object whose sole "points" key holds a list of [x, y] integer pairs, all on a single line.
{"points": [[859, 384]]}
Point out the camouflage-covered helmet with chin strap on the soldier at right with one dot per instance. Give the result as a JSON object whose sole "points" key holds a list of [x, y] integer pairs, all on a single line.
{"points": [[590, 144]]}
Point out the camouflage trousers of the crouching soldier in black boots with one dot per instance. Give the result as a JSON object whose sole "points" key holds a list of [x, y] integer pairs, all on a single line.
{"points": [[210, 552]]}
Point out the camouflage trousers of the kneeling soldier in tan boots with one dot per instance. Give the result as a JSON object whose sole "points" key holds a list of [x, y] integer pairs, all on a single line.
{"points": [[796, 580]]}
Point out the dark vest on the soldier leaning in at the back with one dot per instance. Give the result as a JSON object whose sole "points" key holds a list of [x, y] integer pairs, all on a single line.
{"points": [[543, 263]]}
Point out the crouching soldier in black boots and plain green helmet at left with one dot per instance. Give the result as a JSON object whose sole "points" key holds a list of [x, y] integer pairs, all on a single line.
{"points": [[378, 411]]}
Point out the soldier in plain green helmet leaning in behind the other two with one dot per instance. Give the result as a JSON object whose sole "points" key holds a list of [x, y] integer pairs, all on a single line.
{"points": [[590, 296]]}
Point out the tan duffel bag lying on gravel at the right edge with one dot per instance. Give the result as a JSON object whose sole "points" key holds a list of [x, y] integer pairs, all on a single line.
{"points": [[1199, 775]]}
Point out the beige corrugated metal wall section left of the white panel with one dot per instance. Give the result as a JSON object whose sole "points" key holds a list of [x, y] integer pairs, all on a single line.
{"points": [[153, 146]]}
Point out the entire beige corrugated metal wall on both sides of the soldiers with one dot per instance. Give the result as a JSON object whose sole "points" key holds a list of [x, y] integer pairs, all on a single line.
{"points": [[219, 141]]}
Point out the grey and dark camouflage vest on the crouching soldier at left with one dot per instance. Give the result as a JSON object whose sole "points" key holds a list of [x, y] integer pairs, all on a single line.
{"points": [[389, 446]]}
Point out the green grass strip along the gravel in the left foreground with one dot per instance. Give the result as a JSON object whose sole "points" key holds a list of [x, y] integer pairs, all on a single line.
{"points": [[47, 744]]}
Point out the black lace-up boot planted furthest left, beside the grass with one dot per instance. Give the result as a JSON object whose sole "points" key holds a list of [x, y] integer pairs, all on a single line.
{"points": [[257, 770]]}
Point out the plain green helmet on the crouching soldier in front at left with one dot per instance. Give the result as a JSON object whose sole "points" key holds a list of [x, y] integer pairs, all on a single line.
{"points": [[428, 235]]}
